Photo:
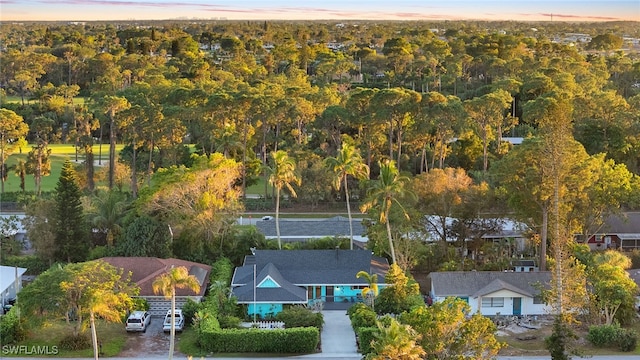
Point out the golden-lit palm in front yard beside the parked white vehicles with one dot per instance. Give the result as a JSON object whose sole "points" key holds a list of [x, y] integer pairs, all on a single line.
{"points": [[176, 277]]}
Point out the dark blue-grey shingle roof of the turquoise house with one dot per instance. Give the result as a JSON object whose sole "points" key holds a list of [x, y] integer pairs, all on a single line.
{"points": [[294, 269]]}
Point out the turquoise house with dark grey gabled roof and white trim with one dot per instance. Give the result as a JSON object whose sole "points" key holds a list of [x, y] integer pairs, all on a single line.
{"points": [[270, 279]]}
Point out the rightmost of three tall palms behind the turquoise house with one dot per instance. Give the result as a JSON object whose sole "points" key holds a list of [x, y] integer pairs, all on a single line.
{"points": [[385, 192]]}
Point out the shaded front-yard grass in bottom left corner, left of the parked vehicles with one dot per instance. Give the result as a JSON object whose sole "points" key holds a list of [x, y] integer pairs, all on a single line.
{"points": [[112, 335]]}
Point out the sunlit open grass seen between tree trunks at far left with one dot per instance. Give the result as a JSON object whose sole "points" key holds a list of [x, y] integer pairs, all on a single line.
{"points": [[59, 154]]}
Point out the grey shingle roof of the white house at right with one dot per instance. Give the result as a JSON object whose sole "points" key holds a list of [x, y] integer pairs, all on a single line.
{"points": [[481, 283]]}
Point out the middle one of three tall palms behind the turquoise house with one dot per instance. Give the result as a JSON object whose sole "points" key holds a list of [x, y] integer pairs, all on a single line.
{"points": [[348, 162]]}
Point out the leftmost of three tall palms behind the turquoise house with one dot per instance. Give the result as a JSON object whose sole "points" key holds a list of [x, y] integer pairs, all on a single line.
{"points": [[282, 174]]}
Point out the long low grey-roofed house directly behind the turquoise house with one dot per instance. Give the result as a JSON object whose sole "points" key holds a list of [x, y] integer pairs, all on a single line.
{"points": [[308, 229]]}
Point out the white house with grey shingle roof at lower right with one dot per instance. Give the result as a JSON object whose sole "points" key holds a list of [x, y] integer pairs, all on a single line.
{"points": [[493, 292]]}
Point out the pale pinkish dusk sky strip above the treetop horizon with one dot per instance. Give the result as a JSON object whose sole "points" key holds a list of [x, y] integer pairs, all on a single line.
{"points": [[530, 10]]}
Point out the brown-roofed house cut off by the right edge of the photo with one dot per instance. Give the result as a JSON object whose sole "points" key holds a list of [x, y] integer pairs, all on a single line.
{"points": [[618, 232]]}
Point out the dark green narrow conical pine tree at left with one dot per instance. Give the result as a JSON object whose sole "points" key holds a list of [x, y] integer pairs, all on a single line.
{"points": [[71, 239]]}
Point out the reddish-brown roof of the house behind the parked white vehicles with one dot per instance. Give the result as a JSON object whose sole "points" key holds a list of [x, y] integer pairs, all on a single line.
{"points": [[144, 270]]}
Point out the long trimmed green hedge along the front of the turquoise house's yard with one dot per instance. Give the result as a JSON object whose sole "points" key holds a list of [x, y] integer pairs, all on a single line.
{"points": [[292, 341]]}
